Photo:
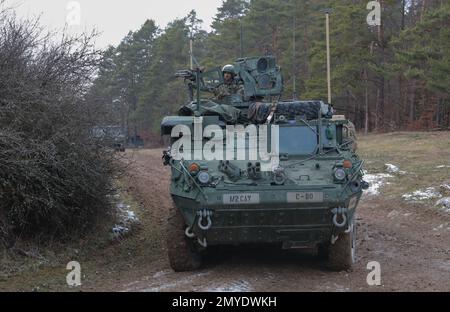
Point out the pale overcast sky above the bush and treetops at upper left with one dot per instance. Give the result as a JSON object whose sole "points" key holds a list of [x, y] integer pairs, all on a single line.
{"points": [[114, 18]]}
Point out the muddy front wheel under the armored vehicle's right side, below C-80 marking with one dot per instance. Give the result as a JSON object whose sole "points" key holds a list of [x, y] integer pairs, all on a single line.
{"points": [[341, 254]]}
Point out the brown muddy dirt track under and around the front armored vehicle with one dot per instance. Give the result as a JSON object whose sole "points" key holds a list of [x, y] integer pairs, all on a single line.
{"points": [[411, 243]]}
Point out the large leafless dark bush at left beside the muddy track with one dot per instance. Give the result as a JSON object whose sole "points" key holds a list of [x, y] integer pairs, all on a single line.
{"points": [[55, 177]]}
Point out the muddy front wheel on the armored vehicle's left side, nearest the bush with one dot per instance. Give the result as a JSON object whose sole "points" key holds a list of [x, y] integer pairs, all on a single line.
{"points": [[182, 252]]}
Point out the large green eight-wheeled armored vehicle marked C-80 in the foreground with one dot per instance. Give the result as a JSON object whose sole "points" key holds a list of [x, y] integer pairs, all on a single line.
{"points": [[303, 195]]}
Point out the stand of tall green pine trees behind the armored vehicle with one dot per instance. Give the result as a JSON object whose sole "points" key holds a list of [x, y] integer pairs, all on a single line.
{"points": [[387, 77]]}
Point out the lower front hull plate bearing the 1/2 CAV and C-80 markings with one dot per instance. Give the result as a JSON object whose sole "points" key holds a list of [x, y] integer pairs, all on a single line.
{"points": [[284, 215]]}
